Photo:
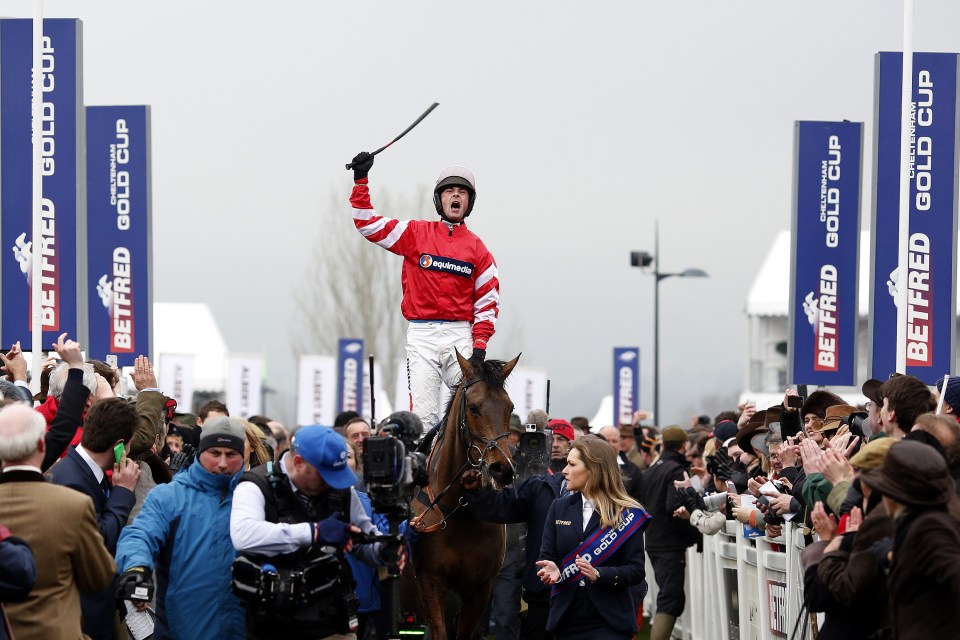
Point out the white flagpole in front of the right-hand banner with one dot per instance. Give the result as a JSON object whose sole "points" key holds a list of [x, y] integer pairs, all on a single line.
{"points": [[906, 101]]}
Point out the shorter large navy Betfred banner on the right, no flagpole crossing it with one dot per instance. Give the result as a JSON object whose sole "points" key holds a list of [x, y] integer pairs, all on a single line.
{"points": [[827, 173]]}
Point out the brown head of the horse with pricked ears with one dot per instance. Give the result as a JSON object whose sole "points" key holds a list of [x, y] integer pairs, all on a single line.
{"points": [[487, 409]]}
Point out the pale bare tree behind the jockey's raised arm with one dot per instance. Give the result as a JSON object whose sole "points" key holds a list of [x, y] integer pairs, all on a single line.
{"points": [[352, 287]]}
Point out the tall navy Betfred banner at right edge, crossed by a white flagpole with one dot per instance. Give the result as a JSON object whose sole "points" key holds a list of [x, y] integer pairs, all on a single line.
{"points": [[931, 277]]}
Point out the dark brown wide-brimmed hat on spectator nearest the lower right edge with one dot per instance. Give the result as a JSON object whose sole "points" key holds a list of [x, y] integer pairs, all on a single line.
{"points": [[914, 474]]}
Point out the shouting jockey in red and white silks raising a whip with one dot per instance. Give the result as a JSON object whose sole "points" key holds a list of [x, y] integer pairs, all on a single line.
{"points": [[451, 292]]}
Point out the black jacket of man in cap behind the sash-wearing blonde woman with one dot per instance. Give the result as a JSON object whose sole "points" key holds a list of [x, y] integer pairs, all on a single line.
{"points": [[660, 500]]}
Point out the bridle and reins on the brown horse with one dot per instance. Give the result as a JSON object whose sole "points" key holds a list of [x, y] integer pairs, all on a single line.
{"points": [[469, 440]]}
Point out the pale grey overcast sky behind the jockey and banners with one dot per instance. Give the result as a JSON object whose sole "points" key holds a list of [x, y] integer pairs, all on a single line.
{"points": [[583, 122]]}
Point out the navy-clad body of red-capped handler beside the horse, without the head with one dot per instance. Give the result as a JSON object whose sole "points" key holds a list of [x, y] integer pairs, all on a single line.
{"points": [[527, 502]]}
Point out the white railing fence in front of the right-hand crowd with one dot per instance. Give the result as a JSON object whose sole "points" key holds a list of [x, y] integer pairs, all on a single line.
{"points": [[740, 588]]}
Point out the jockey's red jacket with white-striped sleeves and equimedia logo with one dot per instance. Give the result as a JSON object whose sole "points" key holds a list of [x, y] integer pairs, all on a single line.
{"points": [[448, 273]]}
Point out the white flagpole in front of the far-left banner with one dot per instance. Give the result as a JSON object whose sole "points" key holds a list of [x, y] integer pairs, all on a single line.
{"points": [[36, 311]]}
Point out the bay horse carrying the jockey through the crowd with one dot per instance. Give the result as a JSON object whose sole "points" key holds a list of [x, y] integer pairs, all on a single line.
{"points": [[456, 551]]}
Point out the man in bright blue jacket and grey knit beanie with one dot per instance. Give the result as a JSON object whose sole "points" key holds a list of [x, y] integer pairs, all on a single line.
{"points": [[183, 533]]}
